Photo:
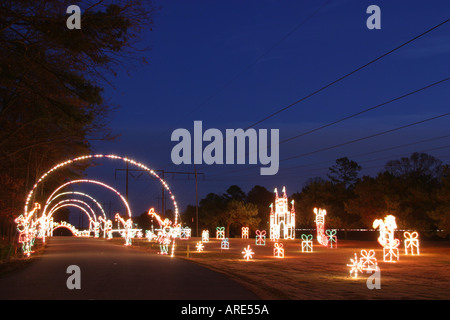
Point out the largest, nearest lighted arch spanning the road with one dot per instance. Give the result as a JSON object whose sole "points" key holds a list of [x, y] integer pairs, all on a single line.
{"points": [[97, 156]]}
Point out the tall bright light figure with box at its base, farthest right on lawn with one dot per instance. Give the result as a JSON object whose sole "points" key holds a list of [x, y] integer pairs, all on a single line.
{"points": [[387, 238]]}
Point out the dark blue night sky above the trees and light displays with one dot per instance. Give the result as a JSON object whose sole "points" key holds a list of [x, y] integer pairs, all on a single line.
{"points": [[230, 64]]}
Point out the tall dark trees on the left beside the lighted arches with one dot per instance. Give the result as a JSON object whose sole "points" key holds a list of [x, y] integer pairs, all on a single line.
{"points": [[52, 83]]}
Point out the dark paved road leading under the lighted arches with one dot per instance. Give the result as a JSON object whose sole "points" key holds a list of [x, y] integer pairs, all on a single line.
{"points": [[110, 271]]}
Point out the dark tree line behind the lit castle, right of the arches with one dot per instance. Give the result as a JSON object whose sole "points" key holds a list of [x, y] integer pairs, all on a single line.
{"points": [[415, 189]]}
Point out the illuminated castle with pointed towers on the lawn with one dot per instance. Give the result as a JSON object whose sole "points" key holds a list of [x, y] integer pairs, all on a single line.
{"points": [[282, 220]]}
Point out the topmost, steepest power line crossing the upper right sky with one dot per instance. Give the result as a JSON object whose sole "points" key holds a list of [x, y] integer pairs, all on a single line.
{"points": [[347, 75]]}
